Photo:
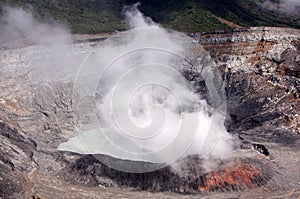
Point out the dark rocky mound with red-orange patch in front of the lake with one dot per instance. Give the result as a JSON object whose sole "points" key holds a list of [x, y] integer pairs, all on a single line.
{"points": [[236, 175]]}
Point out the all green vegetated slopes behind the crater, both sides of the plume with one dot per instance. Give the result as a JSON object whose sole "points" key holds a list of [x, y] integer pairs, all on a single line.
{"points": [[94, 16]]}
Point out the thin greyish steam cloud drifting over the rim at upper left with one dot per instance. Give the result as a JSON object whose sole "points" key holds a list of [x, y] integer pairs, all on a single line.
{"points": [[19, 25]]}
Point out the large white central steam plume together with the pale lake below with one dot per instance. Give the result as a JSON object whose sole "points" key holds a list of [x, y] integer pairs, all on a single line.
{"points": [[145, 110]]}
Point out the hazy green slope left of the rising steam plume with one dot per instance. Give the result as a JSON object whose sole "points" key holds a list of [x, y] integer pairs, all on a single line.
{"points": [[83, 16]]}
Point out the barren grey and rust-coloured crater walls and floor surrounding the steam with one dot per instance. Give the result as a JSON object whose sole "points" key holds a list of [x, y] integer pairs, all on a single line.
{"points": [[261, 72]]}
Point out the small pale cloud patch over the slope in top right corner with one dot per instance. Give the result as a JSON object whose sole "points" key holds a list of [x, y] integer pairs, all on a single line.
{"points": [[288, 7]]}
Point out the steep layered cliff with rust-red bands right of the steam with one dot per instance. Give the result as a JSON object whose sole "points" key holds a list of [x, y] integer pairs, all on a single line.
{"points": [[261, 69]]}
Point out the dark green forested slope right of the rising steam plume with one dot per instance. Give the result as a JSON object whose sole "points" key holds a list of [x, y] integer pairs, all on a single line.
{"points": [[242, 12]]}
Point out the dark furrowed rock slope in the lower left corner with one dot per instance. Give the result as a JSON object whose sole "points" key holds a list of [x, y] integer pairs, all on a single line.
{"points": [[16, 153]]}
